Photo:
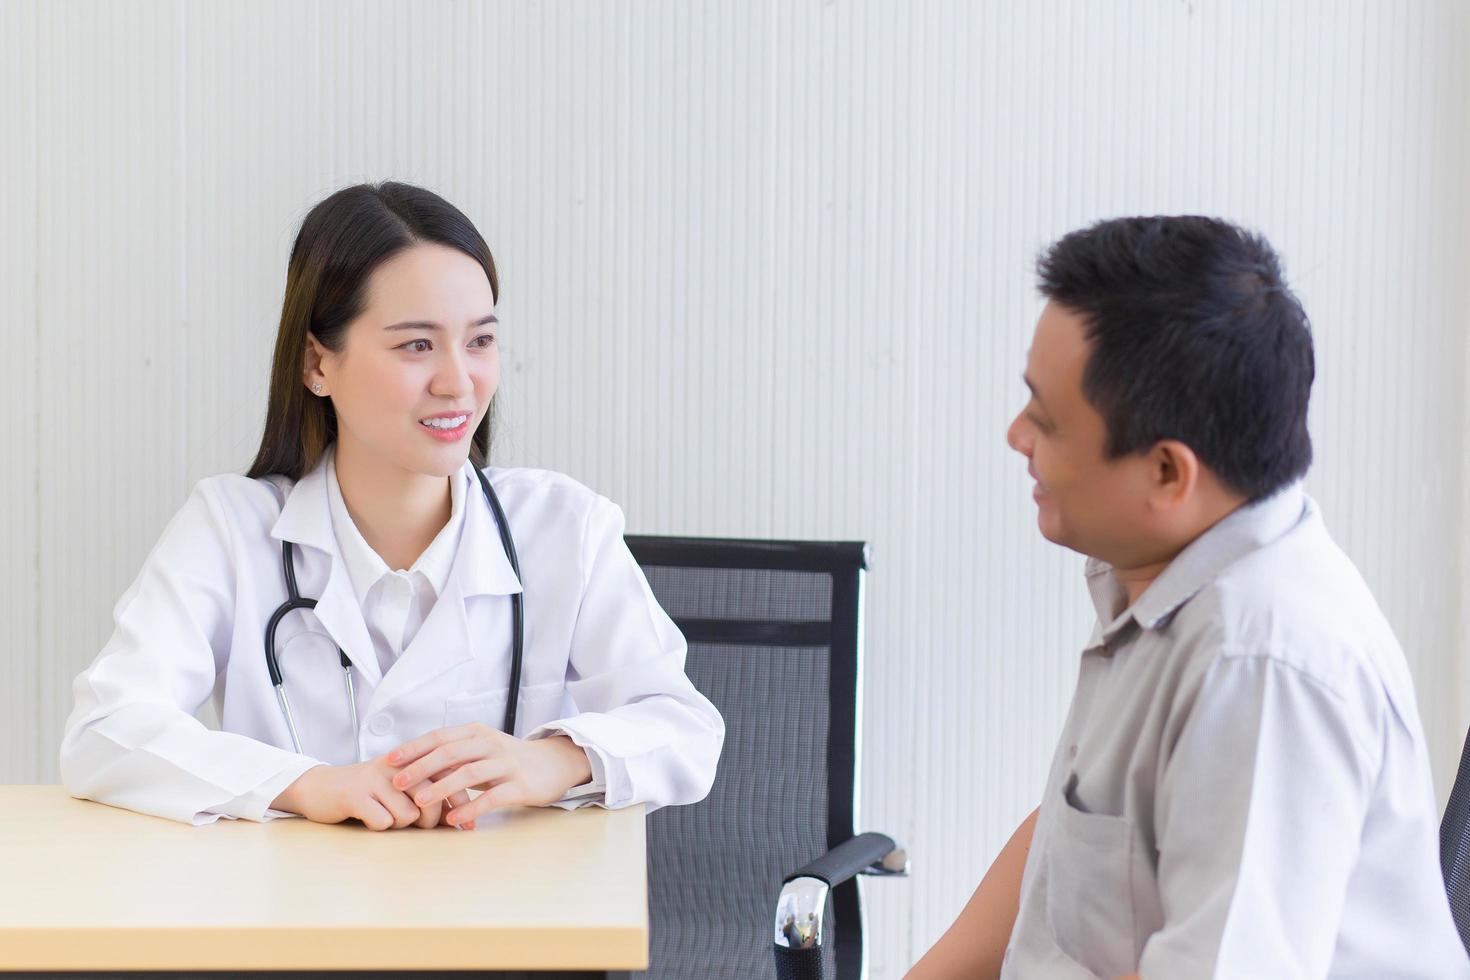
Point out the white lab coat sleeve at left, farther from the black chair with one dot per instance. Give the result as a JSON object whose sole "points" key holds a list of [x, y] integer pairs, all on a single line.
{"points": [[133, 740]]}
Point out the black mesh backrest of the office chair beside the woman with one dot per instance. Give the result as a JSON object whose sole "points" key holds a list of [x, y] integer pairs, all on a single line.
{"points": [[774, 643]]}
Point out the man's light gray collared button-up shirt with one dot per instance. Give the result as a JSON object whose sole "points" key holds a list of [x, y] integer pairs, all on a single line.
{"points": [[1241, 788]]}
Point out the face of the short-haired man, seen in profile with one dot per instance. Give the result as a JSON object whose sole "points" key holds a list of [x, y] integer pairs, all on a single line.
{"points": [[1086, 502]]}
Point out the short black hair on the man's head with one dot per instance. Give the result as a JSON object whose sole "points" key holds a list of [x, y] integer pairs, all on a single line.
{"points": [[1196, 339]]}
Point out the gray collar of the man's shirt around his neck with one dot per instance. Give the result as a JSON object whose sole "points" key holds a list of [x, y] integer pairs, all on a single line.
{"points": [[1241, 533]]}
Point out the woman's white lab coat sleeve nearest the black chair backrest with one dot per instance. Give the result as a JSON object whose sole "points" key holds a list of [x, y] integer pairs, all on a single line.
{"points": [[642, 722]]}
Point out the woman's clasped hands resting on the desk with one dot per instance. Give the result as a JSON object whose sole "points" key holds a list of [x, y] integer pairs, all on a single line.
{"points": [[426, 781]]}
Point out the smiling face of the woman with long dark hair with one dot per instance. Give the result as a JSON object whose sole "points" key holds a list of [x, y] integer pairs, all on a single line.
{"points": [[421, 352]]}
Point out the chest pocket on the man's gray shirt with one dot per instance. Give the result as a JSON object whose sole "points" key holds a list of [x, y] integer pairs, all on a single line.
{"points": [[1090, 888]]}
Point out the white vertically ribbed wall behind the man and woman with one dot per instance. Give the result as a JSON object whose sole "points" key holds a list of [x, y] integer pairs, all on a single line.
{"points": [[768, 271]]}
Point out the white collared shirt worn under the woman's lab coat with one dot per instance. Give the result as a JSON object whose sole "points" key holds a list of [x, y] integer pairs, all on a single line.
{"points": [[395, 602]]}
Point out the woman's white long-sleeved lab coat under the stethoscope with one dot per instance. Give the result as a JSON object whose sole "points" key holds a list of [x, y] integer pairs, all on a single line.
{"points": [[603, 663]]}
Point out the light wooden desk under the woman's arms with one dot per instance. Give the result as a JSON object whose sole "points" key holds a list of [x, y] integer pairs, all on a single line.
{"points": [[87, 887]]}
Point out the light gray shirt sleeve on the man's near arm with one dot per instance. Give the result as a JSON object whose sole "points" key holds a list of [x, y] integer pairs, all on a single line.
{"points": [[1258, 819]]}
